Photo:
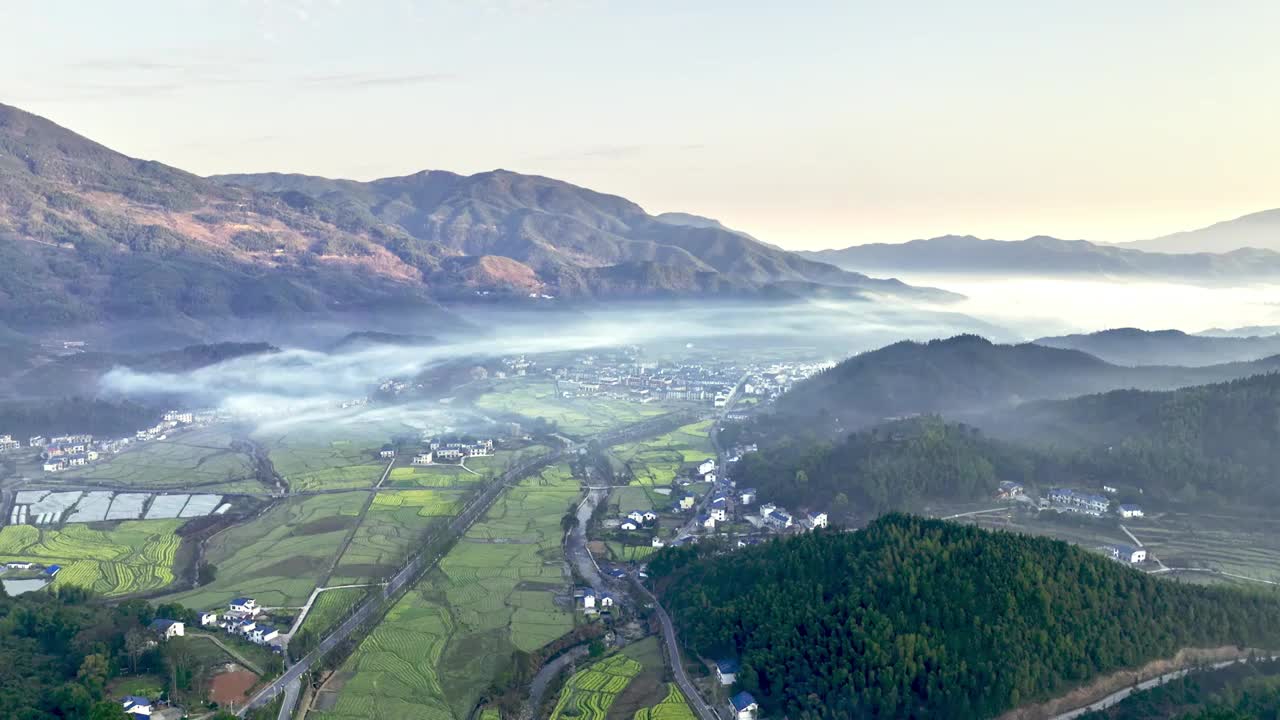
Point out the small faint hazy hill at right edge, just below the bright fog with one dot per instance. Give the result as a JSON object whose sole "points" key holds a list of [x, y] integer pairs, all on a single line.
{"points": [[1131, 347]]}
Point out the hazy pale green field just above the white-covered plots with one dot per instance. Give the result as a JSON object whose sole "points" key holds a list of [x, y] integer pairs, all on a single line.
{"points": [[196, 459]]}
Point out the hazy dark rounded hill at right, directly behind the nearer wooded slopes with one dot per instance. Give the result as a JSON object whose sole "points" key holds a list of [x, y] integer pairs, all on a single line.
{"points": [[967, 377]]}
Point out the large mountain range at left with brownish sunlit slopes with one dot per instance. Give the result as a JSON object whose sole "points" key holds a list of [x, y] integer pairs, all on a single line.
{"points": [[88, 234]]}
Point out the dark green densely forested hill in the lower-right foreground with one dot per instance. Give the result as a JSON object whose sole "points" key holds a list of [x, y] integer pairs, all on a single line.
{"points": [[915, 618]]}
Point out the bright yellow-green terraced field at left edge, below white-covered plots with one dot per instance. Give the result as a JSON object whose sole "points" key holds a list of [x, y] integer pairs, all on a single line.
{"points": [[130, 558]]}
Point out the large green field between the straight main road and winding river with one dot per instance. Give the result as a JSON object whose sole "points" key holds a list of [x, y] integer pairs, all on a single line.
{"points": [[492, 594]]}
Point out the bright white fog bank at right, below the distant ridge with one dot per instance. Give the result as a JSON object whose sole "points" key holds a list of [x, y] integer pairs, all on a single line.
{"points": [[1035, 308]]}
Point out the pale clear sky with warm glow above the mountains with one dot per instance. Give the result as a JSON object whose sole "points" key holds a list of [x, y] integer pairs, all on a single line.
{"points": [[807, 124]]}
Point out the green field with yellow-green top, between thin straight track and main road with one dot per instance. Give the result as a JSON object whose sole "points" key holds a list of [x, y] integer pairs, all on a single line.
{"points": [[396, 521]]}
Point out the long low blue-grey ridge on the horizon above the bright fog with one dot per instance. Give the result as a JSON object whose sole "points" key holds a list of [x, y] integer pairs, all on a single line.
{"points": [[1053, 257]]}
